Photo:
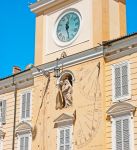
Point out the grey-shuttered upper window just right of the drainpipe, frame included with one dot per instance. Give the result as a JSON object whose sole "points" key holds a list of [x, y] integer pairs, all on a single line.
{"points": [[26, 106]]}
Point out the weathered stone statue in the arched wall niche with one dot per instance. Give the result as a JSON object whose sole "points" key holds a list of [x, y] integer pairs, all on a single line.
{"points": [[64, 96]]}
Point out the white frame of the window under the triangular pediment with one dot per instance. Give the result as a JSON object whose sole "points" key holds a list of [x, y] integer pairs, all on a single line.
{"points": [[58, 135]]}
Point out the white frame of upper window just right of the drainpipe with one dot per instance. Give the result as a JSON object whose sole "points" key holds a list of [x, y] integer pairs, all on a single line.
{"points": [[26, 118]]}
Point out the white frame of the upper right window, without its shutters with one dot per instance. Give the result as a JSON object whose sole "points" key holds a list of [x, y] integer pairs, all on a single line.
{"points": [[121, 98]]}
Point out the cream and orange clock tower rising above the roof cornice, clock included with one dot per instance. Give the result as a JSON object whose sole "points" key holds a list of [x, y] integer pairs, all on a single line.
{"points": [[73, 26]]}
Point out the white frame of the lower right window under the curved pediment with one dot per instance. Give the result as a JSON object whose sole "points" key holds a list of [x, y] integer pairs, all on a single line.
{"points": [[131, 128]]}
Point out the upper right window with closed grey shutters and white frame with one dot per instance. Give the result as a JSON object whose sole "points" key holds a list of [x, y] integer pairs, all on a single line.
{"points": [[121, 85]]}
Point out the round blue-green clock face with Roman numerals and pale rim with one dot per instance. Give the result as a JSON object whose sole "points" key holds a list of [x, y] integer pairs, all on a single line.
{"points": [[68, 26]]}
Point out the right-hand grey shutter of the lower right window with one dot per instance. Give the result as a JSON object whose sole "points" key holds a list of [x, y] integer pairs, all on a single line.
{"points": [[126, 136]]}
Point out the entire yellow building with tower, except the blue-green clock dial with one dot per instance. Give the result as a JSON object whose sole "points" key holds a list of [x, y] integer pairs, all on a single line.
{"points": [[37, 109]]}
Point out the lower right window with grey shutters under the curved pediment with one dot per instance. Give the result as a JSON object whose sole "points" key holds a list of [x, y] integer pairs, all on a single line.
{"points": [[122, 133]]}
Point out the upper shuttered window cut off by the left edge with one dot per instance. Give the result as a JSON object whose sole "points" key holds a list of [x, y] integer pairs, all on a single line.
{"points": [[3, 111]]}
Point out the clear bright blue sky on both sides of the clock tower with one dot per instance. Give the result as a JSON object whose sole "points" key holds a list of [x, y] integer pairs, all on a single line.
{"points": [[17, 33]]}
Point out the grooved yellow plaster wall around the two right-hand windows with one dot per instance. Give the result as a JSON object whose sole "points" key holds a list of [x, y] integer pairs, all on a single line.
{"points": [[108, 94]]}
